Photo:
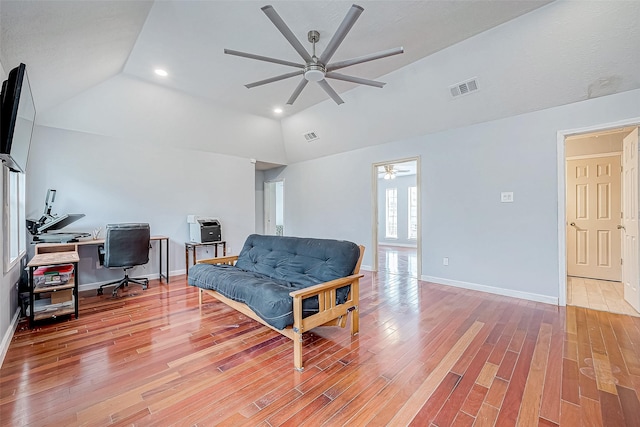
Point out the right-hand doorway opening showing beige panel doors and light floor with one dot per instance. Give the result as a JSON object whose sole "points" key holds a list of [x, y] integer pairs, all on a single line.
{"points": [[601, 193]]}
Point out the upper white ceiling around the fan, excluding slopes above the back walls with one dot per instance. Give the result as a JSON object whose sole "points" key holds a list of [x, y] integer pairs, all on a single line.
{"points": [[71, 46]]}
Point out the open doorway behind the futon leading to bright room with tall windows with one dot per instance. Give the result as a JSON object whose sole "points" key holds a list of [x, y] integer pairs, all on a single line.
{"points": [[396, 217]]}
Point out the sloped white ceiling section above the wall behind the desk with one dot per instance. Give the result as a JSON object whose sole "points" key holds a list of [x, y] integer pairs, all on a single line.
{"points": [[142, 112]]}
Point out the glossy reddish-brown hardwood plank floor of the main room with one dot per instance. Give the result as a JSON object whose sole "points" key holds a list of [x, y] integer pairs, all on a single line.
{"points": [[426, 355]]}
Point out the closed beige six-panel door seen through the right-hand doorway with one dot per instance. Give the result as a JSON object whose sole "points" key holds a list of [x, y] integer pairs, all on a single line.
{"points": [[593, 217]]}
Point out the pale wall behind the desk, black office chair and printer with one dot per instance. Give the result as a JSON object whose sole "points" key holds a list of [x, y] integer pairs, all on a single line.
{"points": [[112, 180]]}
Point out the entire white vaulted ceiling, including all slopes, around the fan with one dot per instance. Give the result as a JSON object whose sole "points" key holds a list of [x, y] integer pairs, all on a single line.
{"points": [[528, 55]]}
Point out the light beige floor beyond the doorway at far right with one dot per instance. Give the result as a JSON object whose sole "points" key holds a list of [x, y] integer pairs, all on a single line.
{"points": [[598, 295]]}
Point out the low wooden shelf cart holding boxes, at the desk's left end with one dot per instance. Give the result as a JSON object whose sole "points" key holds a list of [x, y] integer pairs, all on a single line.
{"points": [[49, 310]]}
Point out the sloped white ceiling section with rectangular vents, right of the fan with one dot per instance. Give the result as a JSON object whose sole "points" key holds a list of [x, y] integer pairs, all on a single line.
{"points": [[542, 44]]}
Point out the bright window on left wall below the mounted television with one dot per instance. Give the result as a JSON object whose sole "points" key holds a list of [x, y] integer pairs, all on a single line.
{"points": [[14, 218]]}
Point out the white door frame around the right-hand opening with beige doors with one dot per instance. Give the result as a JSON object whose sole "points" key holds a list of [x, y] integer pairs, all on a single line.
{"points": [[562, 184]]}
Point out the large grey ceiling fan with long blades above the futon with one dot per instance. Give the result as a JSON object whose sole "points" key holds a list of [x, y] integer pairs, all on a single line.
{"points": [[317, 69]]}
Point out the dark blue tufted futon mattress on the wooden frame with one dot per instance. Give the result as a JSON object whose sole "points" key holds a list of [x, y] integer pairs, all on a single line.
{"points": [[270, 267]]}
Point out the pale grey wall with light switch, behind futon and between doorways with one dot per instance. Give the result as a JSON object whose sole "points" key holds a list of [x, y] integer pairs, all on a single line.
{"points": [[510, 248]]}
